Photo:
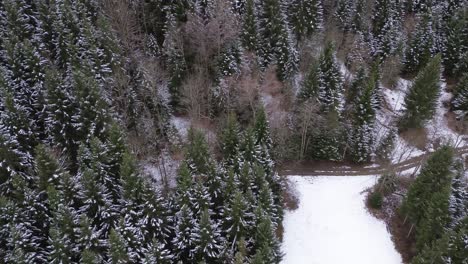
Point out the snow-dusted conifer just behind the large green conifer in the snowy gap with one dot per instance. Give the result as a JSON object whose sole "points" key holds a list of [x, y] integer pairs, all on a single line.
{"points": [[422, 45]]}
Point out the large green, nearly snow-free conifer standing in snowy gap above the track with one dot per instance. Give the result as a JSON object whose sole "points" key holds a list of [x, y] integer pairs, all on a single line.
{"points": [[421, 100]]}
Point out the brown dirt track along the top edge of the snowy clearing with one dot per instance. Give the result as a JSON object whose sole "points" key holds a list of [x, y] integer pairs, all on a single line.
{"points": [[326, 168]]}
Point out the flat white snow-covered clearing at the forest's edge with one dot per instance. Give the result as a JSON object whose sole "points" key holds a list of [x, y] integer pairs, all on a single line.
{"points": [[332, 226]]}
